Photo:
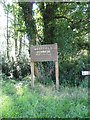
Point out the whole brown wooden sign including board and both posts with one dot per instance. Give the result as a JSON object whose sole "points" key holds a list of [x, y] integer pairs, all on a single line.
{"points": [[44, 53]]}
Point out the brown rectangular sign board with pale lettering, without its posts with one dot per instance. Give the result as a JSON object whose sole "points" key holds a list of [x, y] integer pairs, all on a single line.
{"points": [[44, 53]]}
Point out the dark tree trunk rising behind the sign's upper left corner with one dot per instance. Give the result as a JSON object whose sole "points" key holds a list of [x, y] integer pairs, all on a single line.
{"points": [[27, 8]]}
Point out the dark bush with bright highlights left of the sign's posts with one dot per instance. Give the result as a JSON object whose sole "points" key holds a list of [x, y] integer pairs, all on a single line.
{"points": [[17, 69]]}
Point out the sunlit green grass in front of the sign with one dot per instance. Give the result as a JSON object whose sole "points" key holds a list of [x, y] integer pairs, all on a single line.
{"points": [[19, 100]]}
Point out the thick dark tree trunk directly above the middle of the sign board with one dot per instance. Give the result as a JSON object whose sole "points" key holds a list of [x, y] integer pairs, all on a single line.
{"points": [[48, 12]]}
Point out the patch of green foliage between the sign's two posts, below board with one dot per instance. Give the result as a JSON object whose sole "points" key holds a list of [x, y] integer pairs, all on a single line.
{"points": [[47, 71]]}
